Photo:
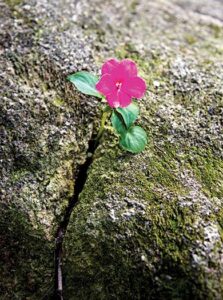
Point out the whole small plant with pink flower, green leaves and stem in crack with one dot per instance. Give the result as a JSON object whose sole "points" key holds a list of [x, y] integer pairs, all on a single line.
{"points": [[118, 84]]}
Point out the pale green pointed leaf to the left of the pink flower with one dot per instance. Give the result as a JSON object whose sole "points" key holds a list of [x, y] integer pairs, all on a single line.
{"points": [[85, 82]]}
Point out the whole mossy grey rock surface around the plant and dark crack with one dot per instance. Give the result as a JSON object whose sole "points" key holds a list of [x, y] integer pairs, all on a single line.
{"points": [[147, 226]]}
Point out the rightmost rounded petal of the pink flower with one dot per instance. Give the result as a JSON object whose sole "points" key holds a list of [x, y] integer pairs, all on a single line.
{"points": [[134, 87]]}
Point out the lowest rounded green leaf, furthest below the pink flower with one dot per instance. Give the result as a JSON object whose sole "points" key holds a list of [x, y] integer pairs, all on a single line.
{"points": [[134, 140]]}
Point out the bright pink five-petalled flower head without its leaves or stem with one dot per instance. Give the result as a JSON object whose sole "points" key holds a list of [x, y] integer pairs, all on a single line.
{"points": [[119, 82]]}
